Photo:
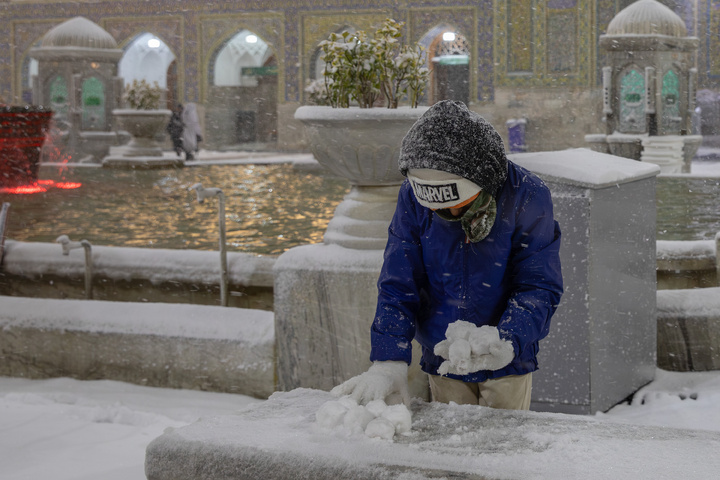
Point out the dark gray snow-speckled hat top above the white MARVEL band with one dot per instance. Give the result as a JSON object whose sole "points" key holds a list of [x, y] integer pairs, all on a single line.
{"points": [[451, 138]]}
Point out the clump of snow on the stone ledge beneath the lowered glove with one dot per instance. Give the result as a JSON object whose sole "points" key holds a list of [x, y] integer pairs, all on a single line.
{"points": [[375, 420]]}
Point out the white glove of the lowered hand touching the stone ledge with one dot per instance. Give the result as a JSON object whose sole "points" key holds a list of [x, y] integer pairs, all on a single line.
{"points": [[382, 380]]}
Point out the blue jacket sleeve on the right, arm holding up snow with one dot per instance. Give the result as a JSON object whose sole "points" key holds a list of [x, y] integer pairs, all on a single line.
{"points": [[536, 278]]}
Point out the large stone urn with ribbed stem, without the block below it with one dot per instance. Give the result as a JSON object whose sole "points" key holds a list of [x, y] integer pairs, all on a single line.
{"points": [[363, 146]]}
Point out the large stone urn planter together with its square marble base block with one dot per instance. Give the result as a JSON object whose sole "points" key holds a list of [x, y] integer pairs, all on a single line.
{"points": [[325, 294]]}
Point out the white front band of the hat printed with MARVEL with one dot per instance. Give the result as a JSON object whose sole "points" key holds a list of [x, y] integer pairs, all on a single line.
{"points": [[437, 189]]}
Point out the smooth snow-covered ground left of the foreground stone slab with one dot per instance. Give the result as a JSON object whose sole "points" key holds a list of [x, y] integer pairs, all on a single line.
{"points": [[66, 429]]}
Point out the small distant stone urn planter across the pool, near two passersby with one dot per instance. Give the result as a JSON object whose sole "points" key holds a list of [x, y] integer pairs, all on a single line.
{"points": [[144, 126]]}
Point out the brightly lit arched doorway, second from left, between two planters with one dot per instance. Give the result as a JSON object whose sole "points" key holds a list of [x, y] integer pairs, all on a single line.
{"points": [[242, 100]]}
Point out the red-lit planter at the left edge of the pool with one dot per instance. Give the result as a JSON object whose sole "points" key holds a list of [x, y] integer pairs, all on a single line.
{"points": [[22, 134]]}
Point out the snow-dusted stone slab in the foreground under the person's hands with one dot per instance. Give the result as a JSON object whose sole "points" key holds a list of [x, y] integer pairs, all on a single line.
{"points": [[278, 439]]}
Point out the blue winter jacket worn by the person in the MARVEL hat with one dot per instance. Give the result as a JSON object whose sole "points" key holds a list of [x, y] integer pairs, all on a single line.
{"points": [[432, 277]]}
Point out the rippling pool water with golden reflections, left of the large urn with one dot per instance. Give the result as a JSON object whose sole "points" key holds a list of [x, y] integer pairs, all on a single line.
{"points": [[269, 208]]}
